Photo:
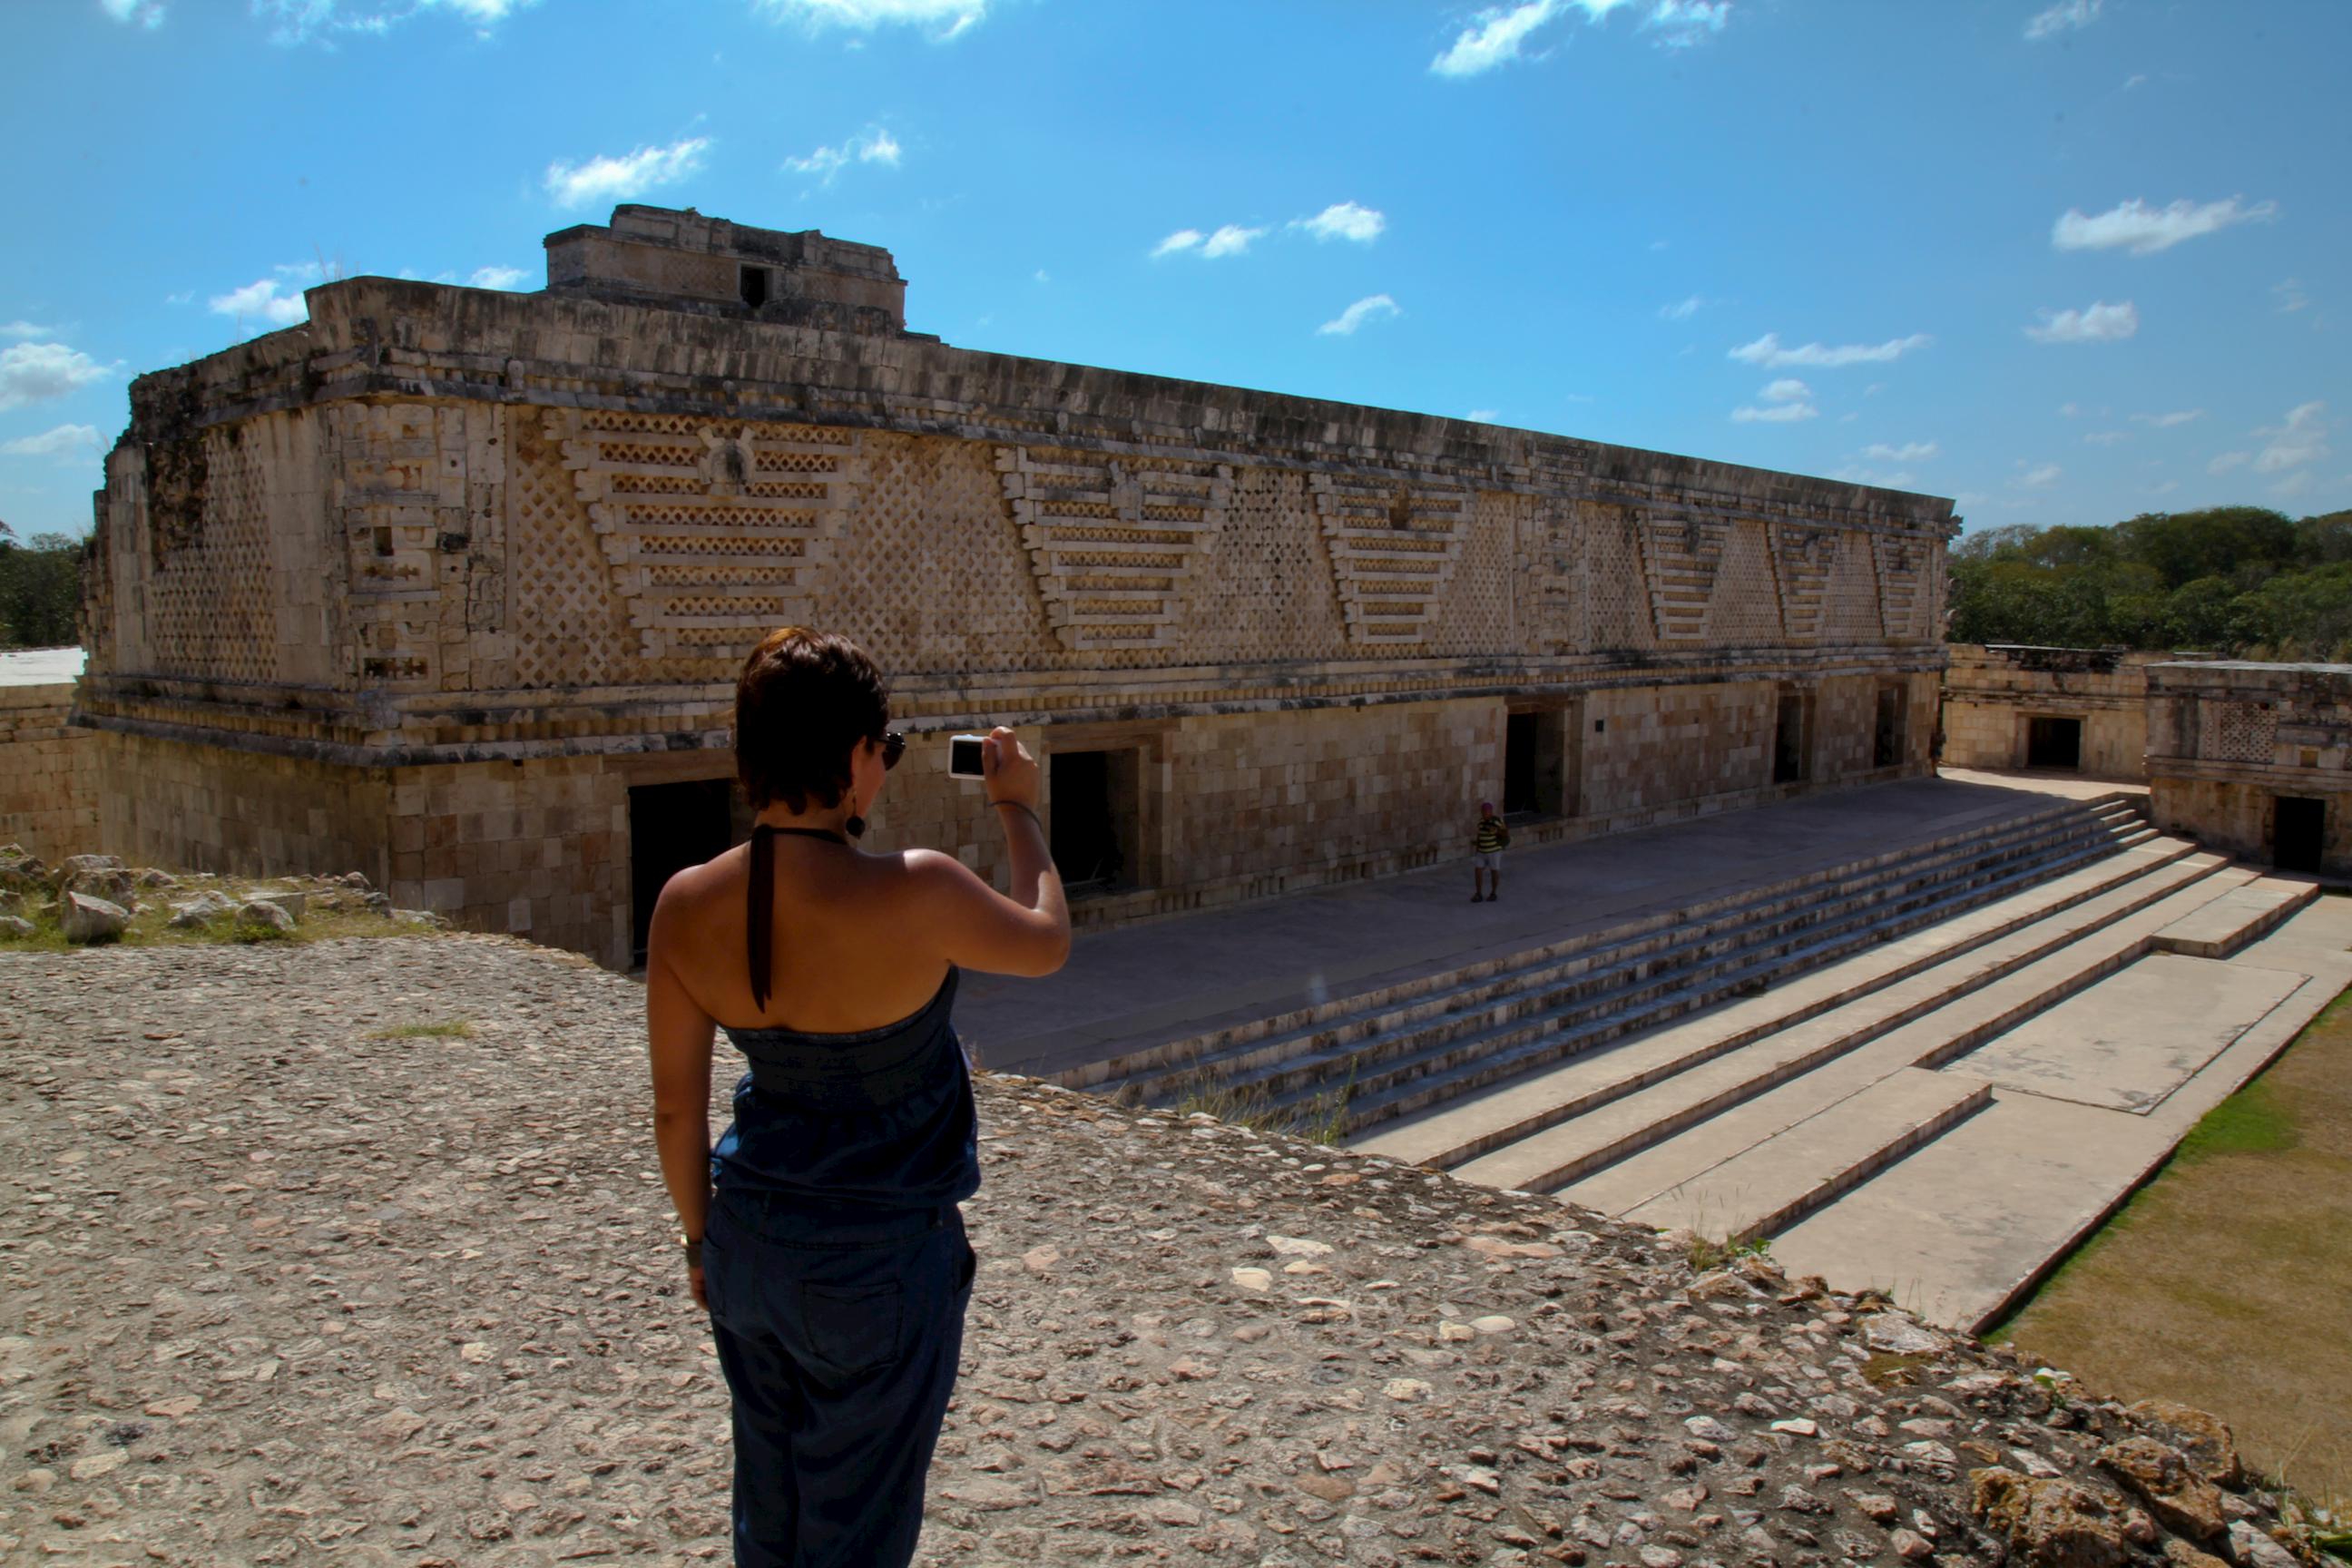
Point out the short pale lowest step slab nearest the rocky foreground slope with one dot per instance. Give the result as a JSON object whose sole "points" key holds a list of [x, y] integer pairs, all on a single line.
{"points": [[1768, 1186]]}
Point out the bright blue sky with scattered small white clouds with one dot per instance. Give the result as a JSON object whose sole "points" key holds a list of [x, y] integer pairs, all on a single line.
{"points": [[2059, 260]]}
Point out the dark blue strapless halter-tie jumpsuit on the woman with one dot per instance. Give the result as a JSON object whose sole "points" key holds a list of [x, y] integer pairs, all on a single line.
{"points": [[838, 1278]]}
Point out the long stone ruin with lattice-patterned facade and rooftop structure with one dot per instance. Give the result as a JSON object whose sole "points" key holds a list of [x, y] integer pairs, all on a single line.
{"points": [[450, 587]]}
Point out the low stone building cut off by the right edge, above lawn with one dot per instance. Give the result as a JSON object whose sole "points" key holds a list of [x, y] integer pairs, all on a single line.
{"points": [[2254, 760]]}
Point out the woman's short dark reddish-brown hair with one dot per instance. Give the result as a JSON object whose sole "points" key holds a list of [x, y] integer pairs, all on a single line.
{"points": [[803, 704]]}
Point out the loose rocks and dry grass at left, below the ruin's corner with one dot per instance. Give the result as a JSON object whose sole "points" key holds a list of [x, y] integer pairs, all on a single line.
{"points": [[95, 897]]}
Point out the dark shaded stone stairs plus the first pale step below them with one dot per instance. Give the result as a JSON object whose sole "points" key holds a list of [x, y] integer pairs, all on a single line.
{"points": [[1436, 1068]]}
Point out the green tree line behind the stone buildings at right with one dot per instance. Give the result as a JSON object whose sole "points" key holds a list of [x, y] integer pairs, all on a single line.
{"points": [[2231, 579]]}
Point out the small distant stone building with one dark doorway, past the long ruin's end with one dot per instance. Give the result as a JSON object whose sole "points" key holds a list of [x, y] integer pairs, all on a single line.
{"points": [[2047, 709]]}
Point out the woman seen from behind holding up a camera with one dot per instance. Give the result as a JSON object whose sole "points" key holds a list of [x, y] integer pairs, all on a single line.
{"points": [[824, 1233]]}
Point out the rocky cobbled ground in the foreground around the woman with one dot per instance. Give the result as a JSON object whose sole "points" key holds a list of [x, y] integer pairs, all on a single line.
{"points": [[356, 1254]]}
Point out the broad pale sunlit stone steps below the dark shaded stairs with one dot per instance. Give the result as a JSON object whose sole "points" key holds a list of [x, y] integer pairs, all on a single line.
{"points": [[1751, 1118]]}
